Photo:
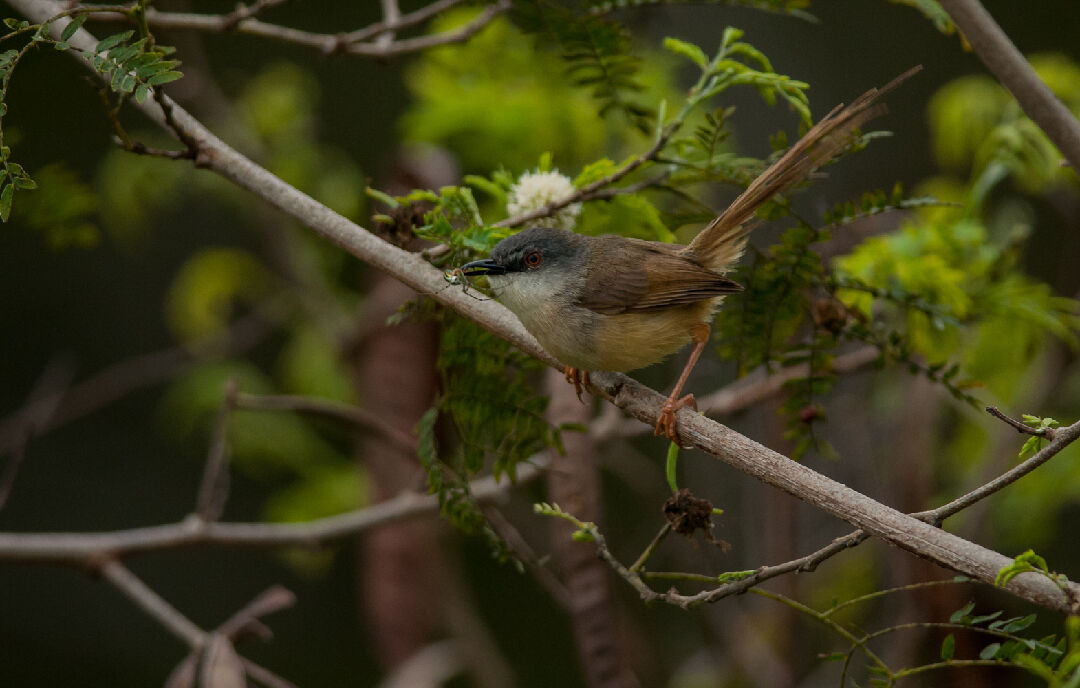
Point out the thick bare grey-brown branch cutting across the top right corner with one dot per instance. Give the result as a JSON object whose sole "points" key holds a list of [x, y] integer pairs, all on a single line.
{"points": [[1006, 62]]}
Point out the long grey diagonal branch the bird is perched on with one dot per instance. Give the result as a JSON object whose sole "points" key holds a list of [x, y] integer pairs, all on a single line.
{"points": [[640, 401]]}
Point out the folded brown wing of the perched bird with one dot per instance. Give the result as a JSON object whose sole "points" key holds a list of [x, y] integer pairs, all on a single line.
{"points": [[631, 275]]}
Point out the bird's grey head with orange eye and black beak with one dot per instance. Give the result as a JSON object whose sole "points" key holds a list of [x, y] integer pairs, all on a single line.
{"points": [[534, 265]]}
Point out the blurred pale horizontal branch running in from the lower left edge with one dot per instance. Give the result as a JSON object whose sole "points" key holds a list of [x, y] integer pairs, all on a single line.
{"points": [[86, 548]]}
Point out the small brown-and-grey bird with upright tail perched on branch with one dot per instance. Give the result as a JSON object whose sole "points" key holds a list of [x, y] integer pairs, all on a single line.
{"points": [[611, 303]]}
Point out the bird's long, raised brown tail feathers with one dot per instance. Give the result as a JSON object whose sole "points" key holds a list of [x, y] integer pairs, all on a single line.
{"points": [[722, 242]]}
